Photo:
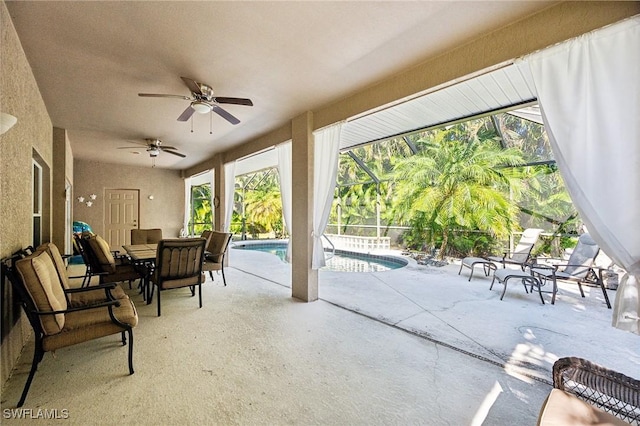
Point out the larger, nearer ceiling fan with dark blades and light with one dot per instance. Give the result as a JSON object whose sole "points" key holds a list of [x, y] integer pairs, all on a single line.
{"points": [[203, 101]]}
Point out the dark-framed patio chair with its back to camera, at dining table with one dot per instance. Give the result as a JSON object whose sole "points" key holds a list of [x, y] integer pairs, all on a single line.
{"points": [[178, 264]]}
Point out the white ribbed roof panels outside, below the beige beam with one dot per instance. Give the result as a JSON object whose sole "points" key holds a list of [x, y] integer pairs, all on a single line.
{"points": [[506, 87]]}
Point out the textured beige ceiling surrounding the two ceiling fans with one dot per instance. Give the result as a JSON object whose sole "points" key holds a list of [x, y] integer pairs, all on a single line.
{"points": [[91, 59]]}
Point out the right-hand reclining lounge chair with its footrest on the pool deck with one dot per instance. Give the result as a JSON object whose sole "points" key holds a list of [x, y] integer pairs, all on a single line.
{"points": [[578, 269]]}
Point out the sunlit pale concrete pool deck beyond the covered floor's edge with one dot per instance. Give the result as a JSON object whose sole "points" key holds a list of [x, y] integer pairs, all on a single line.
{"points": [[519, 333]]}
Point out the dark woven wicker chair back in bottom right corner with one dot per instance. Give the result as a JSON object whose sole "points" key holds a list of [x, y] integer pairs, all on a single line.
{"points": [[605, 389]]}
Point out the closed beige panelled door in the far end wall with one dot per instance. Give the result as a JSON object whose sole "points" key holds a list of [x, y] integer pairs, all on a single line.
{"points": [[120, 216]]}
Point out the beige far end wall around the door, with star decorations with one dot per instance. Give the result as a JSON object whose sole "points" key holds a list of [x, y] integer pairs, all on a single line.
{"points": [[165, 211]]}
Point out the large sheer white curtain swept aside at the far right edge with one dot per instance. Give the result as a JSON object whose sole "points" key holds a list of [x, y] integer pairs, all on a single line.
{"points": [[589, 94]]}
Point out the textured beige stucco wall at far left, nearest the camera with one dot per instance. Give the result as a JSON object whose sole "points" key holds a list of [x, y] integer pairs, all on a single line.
{"points": [[19, 96]]}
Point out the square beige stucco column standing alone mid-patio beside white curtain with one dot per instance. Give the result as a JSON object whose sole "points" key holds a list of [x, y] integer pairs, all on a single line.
{"points": [[304, 280]]}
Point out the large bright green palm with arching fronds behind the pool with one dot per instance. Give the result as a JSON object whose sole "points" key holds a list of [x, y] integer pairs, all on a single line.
{"points": [[458, 181]]}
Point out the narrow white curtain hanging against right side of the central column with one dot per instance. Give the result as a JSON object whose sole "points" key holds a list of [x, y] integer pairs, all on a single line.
{"points": [[325, 170]]}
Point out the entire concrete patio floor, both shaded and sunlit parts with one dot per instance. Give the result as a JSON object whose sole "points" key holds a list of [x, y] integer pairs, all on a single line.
{"points": [[416, 345]]}
